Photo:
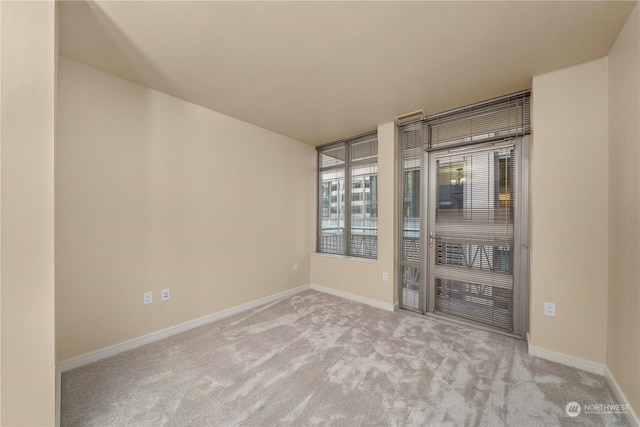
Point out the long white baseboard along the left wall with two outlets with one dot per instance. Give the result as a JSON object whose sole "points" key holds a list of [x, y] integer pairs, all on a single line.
{"points": [[94, 356]]}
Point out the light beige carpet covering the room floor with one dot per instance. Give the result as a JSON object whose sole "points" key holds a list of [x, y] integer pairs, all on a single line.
{"points": [[316, 359]]}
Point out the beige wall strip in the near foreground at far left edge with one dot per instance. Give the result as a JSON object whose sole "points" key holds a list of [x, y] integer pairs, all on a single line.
{"points": [[27, 386]]}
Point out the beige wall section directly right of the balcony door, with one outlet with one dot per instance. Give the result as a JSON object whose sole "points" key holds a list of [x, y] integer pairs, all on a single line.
{"points": [[569, 211]]}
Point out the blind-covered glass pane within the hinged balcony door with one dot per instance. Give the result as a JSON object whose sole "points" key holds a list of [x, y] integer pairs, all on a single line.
{"points": [[472, 234]]}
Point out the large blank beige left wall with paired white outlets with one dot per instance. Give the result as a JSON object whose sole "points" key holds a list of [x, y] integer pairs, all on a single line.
{"points": [[153, 192]]}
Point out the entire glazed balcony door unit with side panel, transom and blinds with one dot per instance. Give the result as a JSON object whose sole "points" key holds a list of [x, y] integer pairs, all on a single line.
{"points": [[463, 214]]}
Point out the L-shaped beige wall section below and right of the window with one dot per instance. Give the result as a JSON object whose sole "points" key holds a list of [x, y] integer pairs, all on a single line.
{"points": [[363, 277]]}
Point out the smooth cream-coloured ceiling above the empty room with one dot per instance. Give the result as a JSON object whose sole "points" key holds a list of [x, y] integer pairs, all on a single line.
{"points": [[322, 71]]}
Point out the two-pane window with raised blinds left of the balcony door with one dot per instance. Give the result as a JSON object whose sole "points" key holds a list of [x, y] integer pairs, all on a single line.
{"points": [[348, 170]]}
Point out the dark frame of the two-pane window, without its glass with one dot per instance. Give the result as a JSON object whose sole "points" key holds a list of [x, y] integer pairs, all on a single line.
{"points": [[346, 199]]}
